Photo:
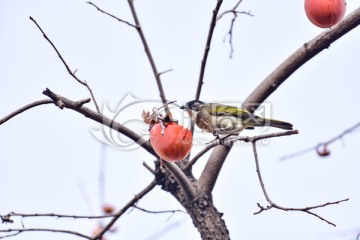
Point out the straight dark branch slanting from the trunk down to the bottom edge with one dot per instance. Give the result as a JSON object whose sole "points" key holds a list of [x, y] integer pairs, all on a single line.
{"points": [[131, 203]]}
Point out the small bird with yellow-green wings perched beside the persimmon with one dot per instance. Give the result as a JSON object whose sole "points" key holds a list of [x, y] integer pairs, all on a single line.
{"points": [[223, 119]]}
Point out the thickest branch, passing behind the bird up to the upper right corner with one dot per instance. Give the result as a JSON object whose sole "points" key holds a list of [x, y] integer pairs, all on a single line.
{"points": [[276, 78]]}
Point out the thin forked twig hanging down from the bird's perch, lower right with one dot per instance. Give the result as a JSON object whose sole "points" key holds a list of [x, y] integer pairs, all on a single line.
{"points": [[274, 205]]}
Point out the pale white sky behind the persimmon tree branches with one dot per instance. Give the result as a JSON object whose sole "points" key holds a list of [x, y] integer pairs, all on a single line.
{"points": [[50, 161]]}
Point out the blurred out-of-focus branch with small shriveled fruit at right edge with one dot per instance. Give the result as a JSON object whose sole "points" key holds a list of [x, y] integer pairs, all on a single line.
{"points": [[323, 145]]}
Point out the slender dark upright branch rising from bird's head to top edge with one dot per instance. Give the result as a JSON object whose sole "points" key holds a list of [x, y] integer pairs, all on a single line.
{"points": [[207, 49]]}
